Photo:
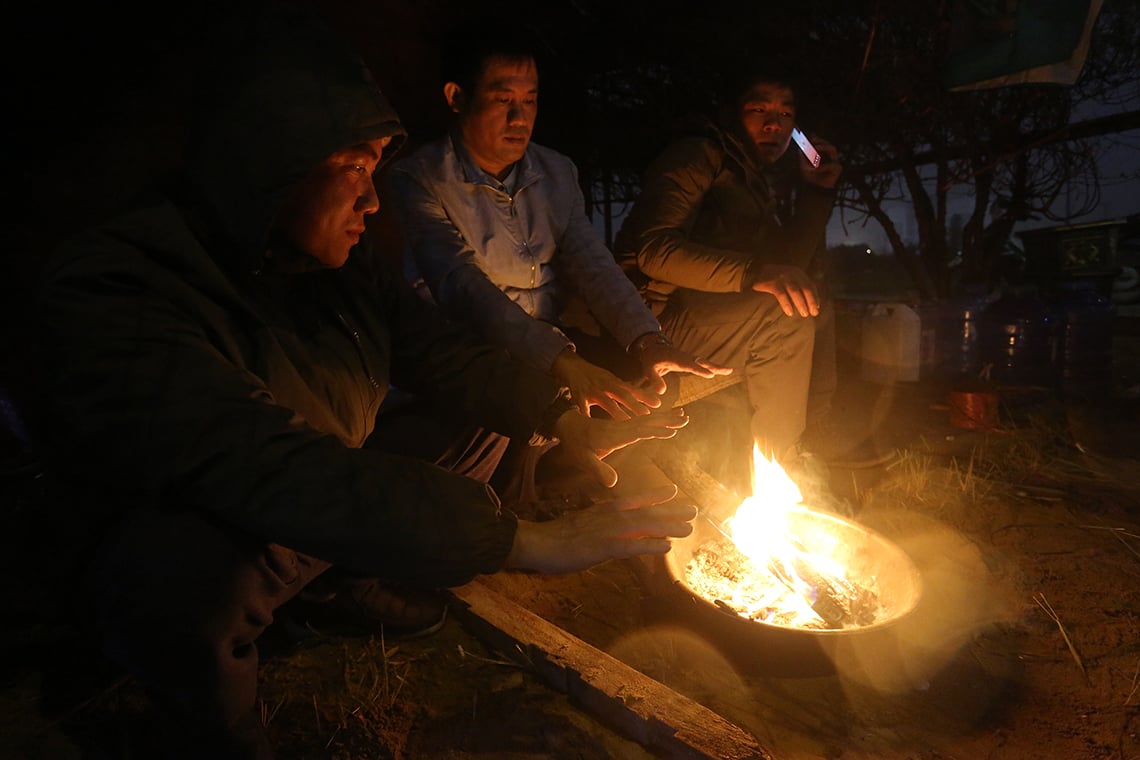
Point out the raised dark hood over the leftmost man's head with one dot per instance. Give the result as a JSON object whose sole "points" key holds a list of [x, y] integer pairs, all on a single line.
{"points": [[291, 95]]}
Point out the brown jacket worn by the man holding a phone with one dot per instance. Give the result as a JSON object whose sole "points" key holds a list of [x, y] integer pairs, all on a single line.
{"points": [[707, 215]]}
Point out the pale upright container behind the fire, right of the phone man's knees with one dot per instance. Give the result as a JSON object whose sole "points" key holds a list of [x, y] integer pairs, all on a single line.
{"points": [[892, 339]]}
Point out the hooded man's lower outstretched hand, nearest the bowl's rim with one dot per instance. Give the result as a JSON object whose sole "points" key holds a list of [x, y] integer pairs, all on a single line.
{"points": [[608, 530]]}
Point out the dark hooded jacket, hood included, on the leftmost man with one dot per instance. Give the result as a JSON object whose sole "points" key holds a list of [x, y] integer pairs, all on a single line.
{"points": [[184, 369]]}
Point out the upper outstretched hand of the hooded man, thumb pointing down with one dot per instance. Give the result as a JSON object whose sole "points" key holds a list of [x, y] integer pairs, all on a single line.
{"points": [[587, 442]]}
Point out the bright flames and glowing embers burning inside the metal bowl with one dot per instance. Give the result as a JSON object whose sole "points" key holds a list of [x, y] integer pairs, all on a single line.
{"points": [[769, 570]]}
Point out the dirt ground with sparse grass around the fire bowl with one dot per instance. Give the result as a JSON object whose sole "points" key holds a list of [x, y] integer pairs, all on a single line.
{"points": [[1025, 644]]}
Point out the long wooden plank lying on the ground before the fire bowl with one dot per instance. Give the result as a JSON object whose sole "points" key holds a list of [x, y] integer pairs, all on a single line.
{"points": [[633, 704]]}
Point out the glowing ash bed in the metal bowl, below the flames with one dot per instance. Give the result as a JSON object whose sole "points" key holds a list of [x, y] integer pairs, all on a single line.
{"points": [[721, 574]]}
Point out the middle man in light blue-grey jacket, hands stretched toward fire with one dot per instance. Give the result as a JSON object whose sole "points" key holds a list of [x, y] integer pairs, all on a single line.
{"points": [[495, 232]]}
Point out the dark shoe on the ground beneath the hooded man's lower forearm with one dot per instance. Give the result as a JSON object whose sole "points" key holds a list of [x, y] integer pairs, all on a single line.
{"points": [[370, 606]]}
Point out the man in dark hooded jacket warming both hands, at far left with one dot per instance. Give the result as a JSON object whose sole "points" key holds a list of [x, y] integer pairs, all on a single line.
{"points": [[213, 365]]}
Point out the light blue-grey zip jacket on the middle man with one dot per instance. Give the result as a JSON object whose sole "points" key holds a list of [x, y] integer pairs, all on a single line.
{"points": [[510, 265]]}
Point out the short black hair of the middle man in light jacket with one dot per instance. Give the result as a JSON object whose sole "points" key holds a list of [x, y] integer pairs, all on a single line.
{"points": [[474, 43]]}
